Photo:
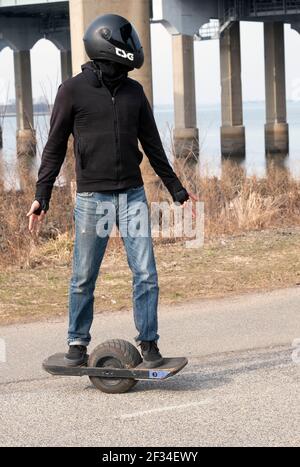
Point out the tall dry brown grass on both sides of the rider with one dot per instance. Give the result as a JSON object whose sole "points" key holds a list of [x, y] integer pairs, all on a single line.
{"points": [[233, 204]]}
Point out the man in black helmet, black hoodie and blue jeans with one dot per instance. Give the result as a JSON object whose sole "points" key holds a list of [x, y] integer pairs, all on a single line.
{"points": [[107, 113]]}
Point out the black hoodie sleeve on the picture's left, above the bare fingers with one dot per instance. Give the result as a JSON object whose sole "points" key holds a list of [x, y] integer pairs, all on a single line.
{"points": [[61, 125]]}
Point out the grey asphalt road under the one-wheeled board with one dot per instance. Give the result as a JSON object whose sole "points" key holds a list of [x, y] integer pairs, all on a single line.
{"points": [[241, 387]]}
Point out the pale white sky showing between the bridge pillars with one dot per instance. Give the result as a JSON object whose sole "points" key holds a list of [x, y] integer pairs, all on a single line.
{"points": [[45, 63]]}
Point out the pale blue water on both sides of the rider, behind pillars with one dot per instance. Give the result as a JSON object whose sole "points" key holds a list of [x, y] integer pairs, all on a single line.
{"points": [[209, 121]]}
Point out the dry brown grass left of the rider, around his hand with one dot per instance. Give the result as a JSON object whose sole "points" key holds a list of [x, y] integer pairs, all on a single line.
{"points": [[17, 246]]}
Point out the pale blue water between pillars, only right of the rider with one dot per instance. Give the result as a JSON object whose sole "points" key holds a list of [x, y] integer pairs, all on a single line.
{"points": [[209, 122]]}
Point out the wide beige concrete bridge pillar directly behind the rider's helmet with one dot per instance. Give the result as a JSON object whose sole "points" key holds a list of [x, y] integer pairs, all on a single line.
{"points": [[83, 12]]}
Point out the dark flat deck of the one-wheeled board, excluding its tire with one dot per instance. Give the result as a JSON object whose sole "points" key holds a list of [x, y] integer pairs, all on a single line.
{"points": [[56, 366]]}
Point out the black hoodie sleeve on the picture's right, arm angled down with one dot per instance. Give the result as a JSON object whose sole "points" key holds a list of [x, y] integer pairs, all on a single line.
{"points": [[151, 143]]}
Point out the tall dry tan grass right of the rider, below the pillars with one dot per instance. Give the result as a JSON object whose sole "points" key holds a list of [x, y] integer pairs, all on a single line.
{"points": [[235, 203]]}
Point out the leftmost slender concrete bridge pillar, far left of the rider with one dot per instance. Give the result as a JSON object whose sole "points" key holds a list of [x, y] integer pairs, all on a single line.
{"points": [[26, 139]]}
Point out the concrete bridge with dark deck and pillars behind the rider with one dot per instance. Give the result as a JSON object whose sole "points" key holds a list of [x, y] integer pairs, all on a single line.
{"points": [[23, 23]]}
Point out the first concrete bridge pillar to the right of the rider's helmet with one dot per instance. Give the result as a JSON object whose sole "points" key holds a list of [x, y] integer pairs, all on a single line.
{"points": [[186, 137]]}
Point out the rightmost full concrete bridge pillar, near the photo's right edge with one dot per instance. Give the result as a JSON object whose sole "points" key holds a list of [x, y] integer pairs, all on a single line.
{"points": [[276, 128]]}
